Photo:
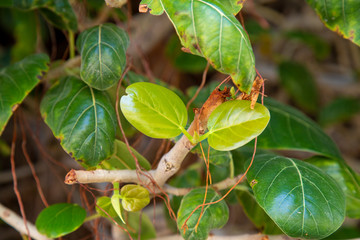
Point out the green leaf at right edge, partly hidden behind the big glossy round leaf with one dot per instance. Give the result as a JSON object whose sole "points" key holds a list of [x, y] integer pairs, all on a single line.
{"points": [[348, 180]]}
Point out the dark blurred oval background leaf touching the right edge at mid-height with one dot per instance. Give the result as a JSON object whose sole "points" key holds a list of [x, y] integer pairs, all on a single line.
{"points": [[339, 110]]}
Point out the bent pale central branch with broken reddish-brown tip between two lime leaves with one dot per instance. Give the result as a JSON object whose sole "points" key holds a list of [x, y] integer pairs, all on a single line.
{"points": [[169, 164]]}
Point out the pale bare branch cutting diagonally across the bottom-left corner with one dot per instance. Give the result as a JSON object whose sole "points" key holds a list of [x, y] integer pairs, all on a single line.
{"points": [[17, 222]]}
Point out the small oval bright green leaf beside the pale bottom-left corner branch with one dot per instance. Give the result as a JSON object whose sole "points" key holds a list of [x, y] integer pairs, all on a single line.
{"points": [[60, 219]]}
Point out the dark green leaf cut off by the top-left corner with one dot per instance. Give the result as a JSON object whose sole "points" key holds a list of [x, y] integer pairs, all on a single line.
{"points": [[58, 12]]}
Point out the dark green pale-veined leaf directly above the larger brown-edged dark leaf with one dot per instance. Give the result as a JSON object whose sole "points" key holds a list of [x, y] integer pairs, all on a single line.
{"points": [[103, 55]]}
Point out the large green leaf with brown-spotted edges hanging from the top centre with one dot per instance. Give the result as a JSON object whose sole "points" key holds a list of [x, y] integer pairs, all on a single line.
{"points": [[208, 28]]}
